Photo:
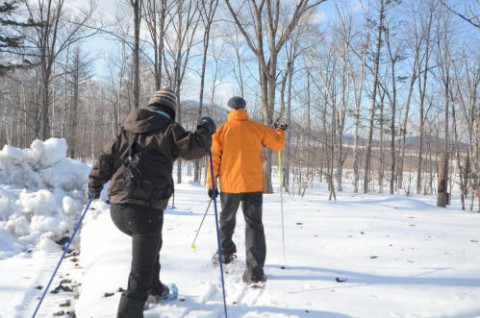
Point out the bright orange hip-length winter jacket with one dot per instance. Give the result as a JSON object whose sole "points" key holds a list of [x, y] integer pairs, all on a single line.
{"points": [[237, 153]]}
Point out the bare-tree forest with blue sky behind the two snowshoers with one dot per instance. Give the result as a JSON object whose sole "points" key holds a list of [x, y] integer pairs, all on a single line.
{"points": [[381, 96]]}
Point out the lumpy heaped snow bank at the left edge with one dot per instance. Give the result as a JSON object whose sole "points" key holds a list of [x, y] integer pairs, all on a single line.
{"points": [[41, 191]]}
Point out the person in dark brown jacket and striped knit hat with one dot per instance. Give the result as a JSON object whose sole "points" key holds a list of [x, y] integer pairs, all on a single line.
{"points": [[139, 162]]}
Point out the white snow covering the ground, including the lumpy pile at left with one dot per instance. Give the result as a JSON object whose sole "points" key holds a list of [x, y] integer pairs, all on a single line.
{"points": [[359, 256]]}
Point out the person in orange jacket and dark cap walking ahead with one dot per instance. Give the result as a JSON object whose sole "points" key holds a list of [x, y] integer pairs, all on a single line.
{"points": [[237, 163]]}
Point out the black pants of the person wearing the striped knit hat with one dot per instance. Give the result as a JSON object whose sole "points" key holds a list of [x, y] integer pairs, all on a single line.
{"points": [[144, 225]]}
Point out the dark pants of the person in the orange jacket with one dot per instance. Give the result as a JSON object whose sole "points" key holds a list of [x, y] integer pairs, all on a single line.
{"points": [[255, 246]]}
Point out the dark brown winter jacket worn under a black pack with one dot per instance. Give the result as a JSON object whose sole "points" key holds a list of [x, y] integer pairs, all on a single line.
{"points": [[156, 132]]}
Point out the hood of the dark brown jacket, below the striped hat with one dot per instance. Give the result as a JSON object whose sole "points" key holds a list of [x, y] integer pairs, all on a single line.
{"points": [[144, 120]]}
